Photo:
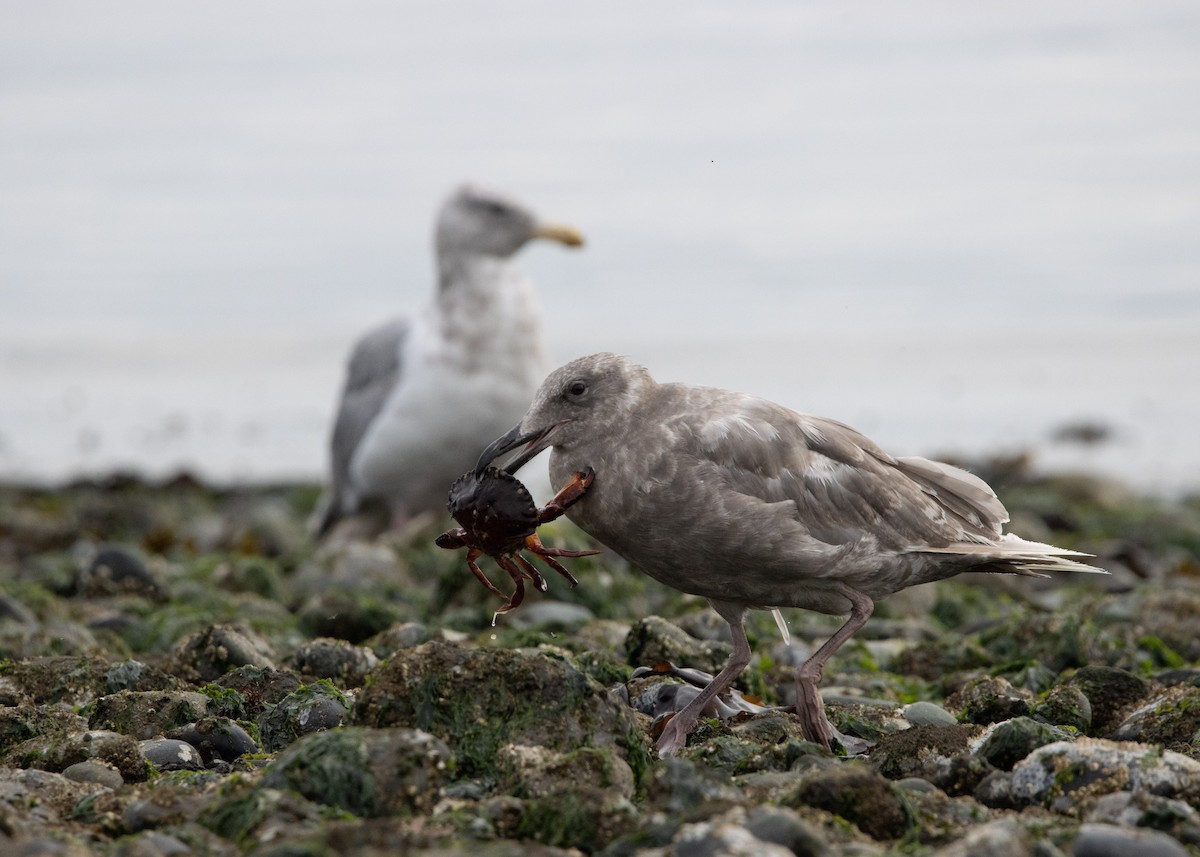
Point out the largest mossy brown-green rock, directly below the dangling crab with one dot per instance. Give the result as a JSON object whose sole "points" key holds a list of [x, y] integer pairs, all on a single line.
{"points": [[482, 699]]}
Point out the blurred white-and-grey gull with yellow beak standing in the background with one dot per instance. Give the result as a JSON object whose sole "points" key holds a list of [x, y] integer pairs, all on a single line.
{"points": [[423, 395]]}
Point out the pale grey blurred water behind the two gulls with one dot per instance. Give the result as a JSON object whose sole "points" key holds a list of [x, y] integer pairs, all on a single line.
{"points": [[961, 229]]}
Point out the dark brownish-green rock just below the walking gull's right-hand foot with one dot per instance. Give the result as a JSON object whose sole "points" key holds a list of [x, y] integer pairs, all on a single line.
{"points": [[859, 794]]}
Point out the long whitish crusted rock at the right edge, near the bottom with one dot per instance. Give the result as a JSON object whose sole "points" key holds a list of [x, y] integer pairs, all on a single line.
{"points": [[1060, 776]]}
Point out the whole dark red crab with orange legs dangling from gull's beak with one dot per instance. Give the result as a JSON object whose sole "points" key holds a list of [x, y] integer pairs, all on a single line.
{"points": [[501, 520]]}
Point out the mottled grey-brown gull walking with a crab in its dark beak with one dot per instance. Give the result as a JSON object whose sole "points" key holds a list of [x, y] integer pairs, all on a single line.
{"points": [[754, 506]]}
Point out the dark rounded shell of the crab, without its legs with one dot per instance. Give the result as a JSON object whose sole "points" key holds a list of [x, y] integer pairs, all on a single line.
{"points": [[496, 511]]}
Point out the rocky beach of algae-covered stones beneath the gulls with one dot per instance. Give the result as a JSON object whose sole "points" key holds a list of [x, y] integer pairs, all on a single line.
{"points": [[182, 672]]}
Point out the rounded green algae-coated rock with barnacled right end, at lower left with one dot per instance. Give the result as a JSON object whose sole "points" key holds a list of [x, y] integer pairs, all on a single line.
{"points": [[368, 772]]}
